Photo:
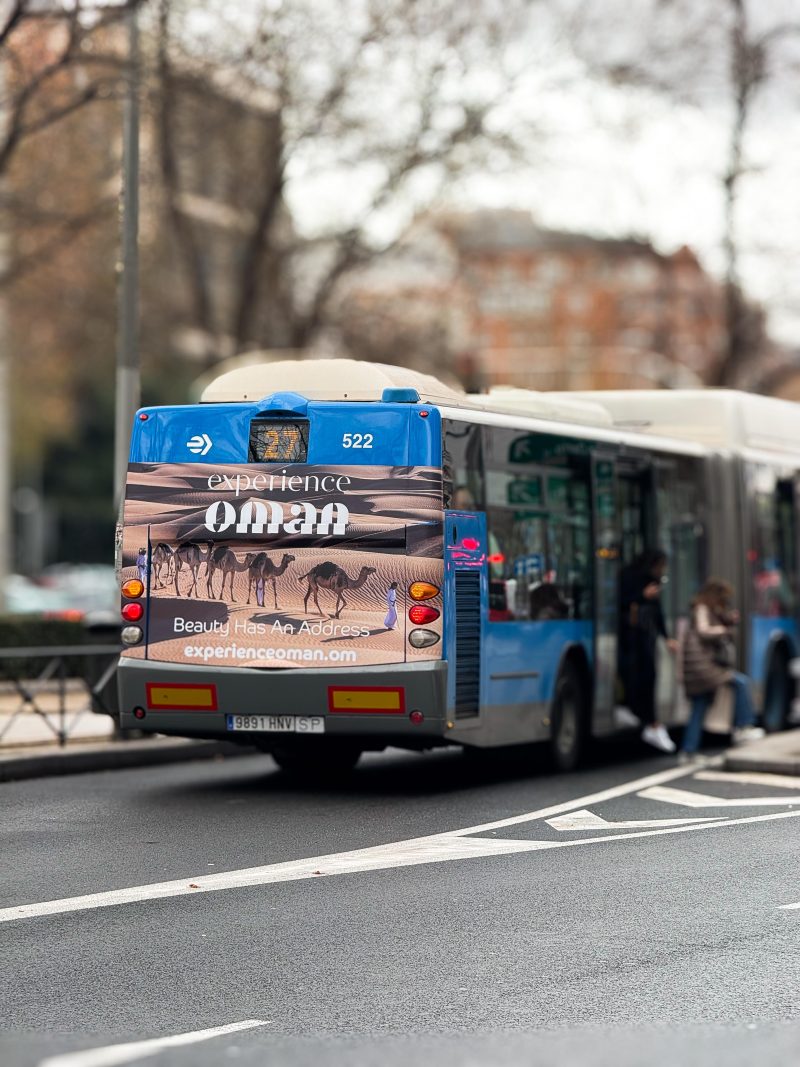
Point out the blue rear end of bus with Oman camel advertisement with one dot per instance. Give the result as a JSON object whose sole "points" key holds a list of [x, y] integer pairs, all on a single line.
{"points": [[281, 568]]}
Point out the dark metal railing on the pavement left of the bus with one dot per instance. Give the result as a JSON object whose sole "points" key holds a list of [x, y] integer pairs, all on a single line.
{"points": [[56, 679]]}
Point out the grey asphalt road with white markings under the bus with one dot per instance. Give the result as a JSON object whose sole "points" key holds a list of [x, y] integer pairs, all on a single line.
{"points": [[632, 913]]}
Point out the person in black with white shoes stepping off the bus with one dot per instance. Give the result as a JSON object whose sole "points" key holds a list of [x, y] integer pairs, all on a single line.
{"points": [[642, 625]]}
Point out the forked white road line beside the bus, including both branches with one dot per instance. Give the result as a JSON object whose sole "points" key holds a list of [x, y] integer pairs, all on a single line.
{"points": [[435, 849]]}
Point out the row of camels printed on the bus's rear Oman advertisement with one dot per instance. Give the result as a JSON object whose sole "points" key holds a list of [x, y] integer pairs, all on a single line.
{"points": [[168, 565]]}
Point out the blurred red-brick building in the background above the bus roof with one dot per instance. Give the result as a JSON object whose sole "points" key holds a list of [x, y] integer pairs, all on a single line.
{"points": [[492, 298]]}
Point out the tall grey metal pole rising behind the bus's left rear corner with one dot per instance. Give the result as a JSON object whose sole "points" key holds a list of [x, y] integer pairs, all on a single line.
{"points": [[129, 379]]}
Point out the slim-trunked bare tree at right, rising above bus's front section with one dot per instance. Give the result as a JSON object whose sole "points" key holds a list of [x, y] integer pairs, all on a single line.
{"points": [[724, 57]]}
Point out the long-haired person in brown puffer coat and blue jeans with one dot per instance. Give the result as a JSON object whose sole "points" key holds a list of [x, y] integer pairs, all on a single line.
{"points": [[710, 655]]}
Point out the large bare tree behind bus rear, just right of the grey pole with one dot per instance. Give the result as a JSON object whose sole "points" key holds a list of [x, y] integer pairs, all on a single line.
{"points": [[376, 106]]}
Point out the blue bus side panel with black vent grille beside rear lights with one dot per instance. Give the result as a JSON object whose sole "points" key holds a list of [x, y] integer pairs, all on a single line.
{"points": [[467, 597]]}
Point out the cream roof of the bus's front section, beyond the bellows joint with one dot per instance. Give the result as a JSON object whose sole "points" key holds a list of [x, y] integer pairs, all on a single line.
{"points": [[718, 419]]}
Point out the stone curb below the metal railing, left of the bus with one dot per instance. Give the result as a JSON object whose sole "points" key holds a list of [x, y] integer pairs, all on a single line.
{"points": [[114, 756]]}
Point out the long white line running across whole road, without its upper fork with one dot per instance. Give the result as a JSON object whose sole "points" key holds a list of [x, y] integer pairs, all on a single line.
{"points": [[413, 853]]}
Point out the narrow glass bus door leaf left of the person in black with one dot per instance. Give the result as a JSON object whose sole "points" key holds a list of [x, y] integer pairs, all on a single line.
{"points": [[606, 551]]}
